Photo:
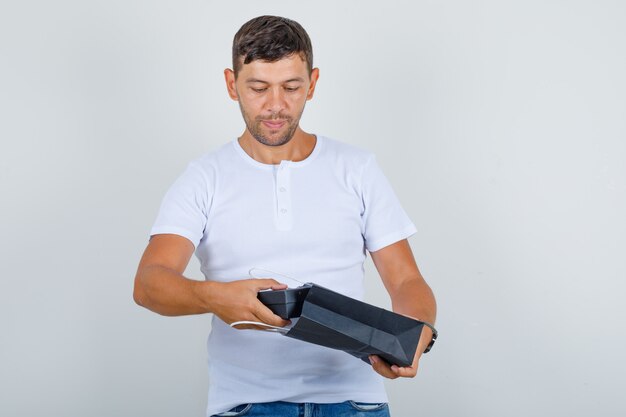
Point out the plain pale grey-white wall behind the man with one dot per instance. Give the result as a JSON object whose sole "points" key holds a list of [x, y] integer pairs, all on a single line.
{"points": [[501, 125]]}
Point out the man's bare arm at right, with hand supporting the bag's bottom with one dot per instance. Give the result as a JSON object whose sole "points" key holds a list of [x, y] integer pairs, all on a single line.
{"points": [[410, 295]]}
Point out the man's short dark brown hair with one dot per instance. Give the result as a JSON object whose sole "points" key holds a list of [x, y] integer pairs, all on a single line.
{"points": [[271, 38]]}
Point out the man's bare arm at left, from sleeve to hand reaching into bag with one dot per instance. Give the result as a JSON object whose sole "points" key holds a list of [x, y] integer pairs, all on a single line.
{"points": [[161, 287]]}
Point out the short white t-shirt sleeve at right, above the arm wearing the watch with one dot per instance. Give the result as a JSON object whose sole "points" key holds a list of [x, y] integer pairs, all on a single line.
{"points": [[384, 221]]}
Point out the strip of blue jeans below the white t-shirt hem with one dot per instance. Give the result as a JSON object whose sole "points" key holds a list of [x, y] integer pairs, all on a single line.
{"points": [[284, 409]]}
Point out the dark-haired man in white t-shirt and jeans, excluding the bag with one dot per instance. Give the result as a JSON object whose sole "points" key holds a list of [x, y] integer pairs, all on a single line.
{"points": [[278, 198]]}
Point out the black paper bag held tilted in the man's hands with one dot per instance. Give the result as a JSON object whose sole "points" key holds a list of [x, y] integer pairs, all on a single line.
{"points": [[333, 320]]}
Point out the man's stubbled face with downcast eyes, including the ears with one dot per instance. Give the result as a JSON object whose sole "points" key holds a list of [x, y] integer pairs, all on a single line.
{"points": [[272, 96]]}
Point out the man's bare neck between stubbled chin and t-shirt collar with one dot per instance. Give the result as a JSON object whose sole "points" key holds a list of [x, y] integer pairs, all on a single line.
{"points": [[297, 149]]}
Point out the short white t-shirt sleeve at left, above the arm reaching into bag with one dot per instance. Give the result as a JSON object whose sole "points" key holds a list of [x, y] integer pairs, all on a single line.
{"points": [[185, 207]]}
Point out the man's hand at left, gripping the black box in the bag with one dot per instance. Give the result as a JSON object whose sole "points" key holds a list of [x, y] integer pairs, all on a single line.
{"points": [[237, 301]]}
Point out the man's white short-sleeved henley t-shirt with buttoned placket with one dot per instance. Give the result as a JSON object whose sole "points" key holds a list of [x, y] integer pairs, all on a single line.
{"points": [[311, 220]]}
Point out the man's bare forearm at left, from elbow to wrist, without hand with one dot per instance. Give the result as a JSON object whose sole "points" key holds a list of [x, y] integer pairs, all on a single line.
{"points": [[169, 293]]}
